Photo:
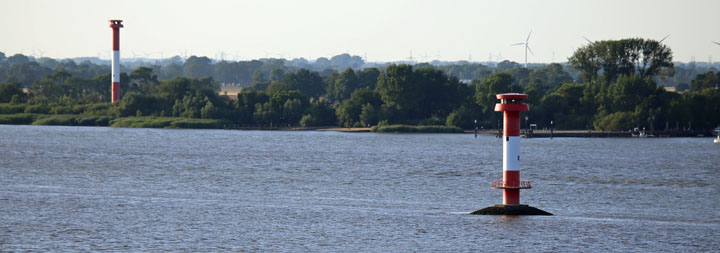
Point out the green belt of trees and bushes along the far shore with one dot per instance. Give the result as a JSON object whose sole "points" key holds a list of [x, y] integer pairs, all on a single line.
{"points": [[606, 85]]}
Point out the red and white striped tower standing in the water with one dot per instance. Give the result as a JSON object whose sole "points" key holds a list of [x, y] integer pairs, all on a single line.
{"points": [[511, 104]]}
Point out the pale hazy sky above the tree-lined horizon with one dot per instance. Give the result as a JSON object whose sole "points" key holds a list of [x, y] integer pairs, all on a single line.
{"points": [[383, 30]]}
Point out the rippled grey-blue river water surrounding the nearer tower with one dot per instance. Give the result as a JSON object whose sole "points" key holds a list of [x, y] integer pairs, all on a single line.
{"points": [[84, 188]]}
